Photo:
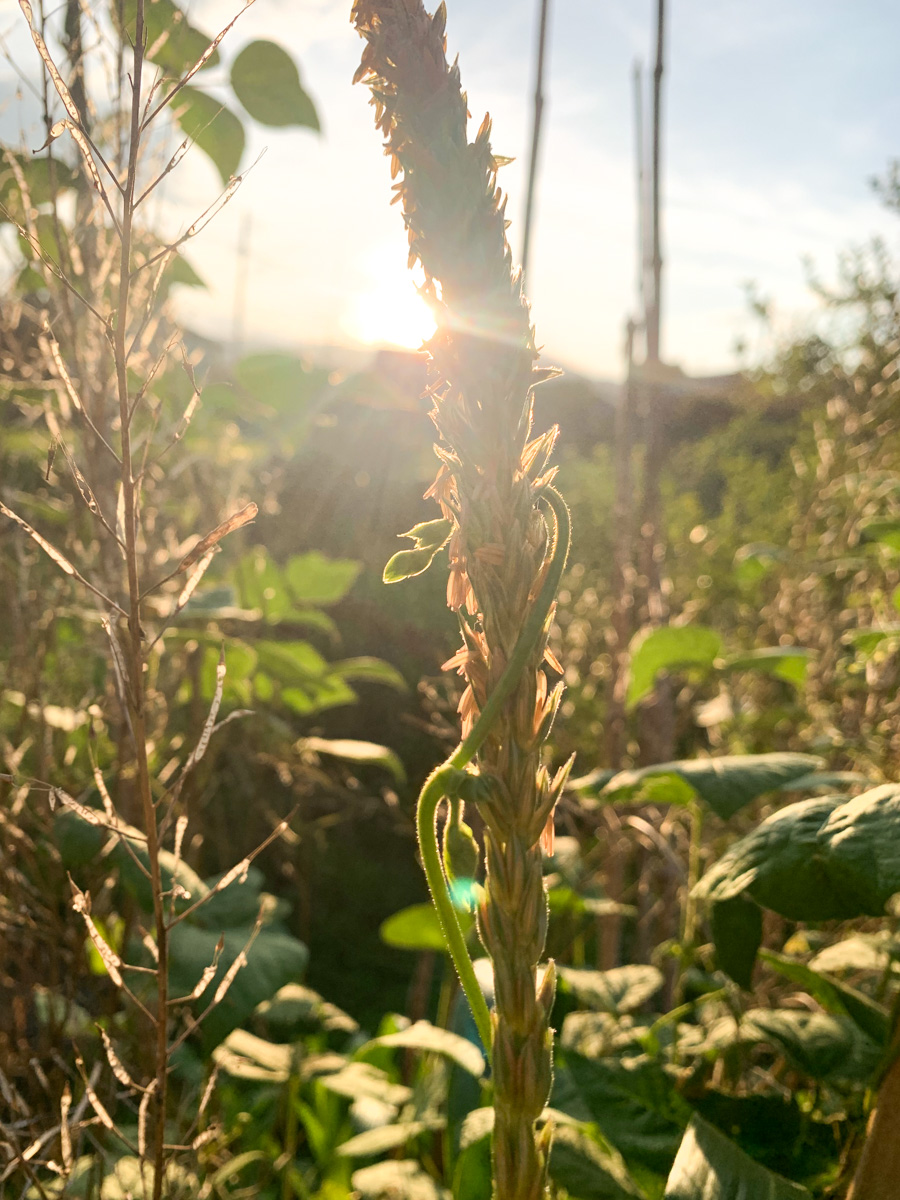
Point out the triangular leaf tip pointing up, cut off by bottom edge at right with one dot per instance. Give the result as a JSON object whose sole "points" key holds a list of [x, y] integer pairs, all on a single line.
{"points": [[711, 1167]]}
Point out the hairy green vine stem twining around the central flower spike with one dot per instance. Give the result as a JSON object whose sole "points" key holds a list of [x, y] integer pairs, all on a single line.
{"points": [[443, 781]]}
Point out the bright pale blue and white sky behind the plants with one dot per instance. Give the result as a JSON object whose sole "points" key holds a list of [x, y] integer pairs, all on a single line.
{"points": [[776, 119]]}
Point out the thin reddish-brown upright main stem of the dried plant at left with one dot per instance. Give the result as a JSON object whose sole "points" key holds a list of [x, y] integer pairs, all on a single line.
{"points": [[135, 655]]}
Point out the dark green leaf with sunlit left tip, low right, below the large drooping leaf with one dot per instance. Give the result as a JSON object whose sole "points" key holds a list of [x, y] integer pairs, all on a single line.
{"points": [[821, 1046]]}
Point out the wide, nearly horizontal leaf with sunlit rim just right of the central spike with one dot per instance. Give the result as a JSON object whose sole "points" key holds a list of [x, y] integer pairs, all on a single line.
{"points": [[727, 784]]}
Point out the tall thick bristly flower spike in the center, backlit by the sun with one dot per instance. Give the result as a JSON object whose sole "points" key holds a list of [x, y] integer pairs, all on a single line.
{"points": [[491, 479]]}
